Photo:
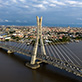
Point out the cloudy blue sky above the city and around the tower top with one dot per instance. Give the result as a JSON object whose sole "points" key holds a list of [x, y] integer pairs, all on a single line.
{"points": [[52, 11]]}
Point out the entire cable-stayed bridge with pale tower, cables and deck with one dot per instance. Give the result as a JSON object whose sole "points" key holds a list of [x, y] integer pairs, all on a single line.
{"points": [[58, 54]]}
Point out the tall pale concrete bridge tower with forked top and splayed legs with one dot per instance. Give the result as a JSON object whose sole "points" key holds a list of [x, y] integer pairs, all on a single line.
{"points": [[39, 38]]}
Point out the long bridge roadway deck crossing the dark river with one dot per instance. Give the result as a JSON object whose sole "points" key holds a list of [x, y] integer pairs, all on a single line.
{"points": [[75, 69]]}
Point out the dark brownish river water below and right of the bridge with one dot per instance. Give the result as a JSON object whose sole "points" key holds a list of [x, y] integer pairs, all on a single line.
{"points": [[13, 69]]}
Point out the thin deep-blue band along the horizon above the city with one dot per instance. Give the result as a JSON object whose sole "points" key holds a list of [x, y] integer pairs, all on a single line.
{"points": [[44, 24]]}
